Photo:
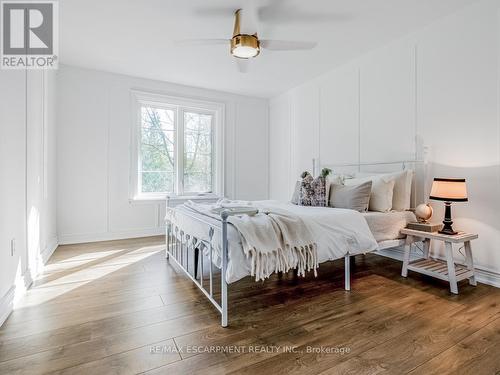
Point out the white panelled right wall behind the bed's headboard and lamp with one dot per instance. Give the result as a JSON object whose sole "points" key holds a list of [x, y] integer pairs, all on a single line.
{"points": [[438, 89]]}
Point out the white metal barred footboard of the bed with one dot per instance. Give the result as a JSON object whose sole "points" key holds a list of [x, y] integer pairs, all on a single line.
{"points": [[182, 248]]}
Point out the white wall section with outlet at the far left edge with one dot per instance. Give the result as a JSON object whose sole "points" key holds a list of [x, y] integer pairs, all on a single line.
{"points": [[12, 184]]}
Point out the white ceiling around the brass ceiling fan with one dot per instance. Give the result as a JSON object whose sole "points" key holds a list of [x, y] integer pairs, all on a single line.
{"points": [[137, 37]]}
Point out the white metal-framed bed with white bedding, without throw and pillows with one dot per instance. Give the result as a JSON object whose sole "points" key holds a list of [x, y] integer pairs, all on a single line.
{"points": [[194, 235]]}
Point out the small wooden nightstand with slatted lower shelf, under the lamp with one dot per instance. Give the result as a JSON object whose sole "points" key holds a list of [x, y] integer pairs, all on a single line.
{"points": [[444, 270]]}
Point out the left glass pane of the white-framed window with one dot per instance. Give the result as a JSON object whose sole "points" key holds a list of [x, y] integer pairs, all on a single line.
{"points": [[157, 171]]}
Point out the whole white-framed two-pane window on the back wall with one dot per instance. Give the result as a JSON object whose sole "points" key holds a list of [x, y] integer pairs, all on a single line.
{"points": [[177, 147]]}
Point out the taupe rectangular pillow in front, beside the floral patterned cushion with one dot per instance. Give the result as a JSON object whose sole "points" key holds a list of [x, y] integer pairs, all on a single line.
{"points": [[355, 197]]}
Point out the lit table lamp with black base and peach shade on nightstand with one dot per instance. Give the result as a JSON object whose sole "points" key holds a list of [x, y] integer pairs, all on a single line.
{"points": [[448, 190]]}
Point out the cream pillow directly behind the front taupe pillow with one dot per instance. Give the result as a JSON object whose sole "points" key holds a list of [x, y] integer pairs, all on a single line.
{"points": [[381, 194]]}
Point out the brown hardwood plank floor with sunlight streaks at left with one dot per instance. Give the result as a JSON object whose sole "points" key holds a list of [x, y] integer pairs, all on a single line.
{"points": [[119, 307]]}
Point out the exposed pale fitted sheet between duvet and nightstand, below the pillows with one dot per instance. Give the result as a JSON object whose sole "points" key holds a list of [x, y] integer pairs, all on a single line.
{"points": [[386, 225]]}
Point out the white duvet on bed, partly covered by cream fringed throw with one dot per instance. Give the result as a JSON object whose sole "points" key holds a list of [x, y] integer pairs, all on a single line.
{"points": [[337, 232]]}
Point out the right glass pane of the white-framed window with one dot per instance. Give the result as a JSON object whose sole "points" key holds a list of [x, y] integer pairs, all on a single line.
{"points": [[197, 152]]}
